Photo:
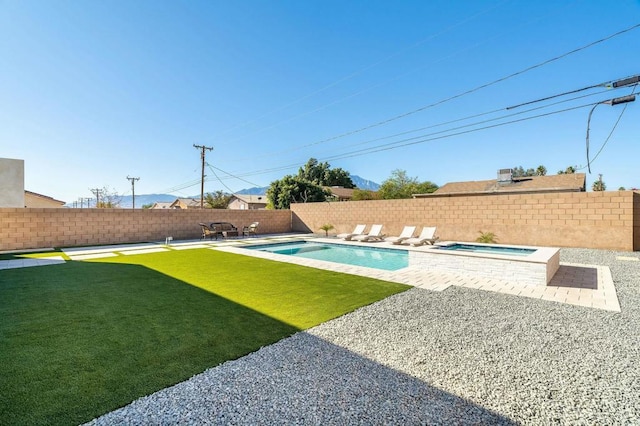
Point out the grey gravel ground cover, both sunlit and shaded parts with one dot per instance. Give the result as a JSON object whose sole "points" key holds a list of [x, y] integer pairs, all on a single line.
{"points": [[459, 356]]}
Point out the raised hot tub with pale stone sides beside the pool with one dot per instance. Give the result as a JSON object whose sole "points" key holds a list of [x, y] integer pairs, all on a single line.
{"points": [[521, 264]]}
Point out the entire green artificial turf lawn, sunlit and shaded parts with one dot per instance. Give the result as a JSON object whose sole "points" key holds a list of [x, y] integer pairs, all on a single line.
{"points": [[83, 338]]}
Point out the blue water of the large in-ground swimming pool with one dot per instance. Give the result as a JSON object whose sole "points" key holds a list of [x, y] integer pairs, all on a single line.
{"points": [[371, 257]]}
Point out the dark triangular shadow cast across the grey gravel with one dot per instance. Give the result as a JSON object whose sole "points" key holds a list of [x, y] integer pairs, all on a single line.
{"points": [[304, 380]]}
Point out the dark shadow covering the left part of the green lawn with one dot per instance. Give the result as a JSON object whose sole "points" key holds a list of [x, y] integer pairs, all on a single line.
{"points": [[81, 339]]}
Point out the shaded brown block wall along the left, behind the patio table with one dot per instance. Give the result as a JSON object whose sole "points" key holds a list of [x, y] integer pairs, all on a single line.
{"points": [[29, 228]]}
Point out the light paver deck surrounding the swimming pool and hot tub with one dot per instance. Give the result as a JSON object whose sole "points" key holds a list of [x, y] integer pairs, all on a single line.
{"points": [[590, 286]]}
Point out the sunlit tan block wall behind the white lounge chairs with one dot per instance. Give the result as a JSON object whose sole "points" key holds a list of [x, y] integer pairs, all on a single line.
{"points": [[604, 220]]}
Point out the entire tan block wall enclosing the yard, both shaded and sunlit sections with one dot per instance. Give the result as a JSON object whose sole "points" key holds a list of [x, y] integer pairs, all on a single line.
{"points": [[604, 220]]}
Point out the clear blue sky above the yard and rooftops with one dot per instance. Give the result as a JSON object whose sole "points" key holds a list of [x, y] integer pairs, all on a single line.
{"points": [[94, 91]]}
